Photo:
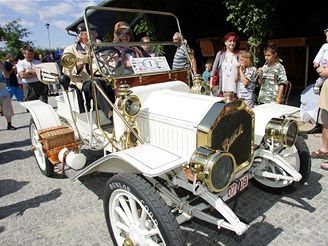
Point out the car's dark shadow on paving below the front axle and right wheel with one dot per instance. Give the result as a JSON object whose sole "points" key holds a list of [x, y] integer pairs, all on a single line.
{"points": [[252, 206]]}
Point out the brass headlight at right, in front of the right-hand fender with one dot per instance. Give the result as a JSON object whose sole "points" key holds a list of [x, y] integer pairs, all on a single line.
{"points": [[283, 131]]}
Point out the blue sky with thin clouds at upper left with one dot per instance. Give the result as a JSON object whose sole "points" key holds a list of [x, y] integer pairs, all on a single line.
{"points": [[34, 14]]}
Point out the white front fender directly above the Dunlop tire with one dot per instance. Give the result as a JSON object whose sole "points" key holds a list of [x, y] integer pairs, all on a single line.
{"points": [[145, 159]]}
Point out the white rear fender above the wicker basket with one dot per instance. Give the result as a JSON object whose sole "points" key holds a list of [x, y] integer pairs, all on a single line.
{"points": [[44, 116]]}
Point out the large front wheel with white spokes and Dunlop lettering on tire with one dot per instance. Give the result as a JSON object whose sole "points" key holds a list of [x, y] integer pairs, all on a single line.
{"points": [[130, 193]]}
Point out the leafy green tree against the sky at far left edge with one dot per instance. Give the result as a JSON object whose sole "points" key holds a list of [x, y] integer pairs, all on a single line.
{"points": [[12, 34]]}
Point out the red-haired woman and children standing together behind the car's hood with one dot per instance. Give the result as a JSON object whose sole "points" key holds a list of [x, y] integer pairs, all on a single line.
{"points": [[233, 71]]}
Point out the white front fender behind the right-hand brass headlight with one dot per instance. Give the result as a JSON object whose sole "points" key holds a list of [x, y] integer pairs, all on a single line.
{"points": [[265, 112]]}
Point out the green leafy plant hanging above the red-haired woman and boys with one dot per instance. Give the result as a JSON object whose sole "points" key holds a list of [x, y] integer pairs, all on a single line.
{"points": [[252, 18]]}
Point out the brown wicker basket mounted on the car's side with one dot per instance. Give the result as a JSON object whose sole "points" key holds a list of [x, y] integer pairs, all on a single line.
{"points": [[56, 136]]}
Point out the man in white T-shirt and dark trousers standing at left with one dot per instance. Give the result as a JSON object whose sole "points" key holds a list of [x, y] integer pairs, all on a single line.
{"points": [[26, 69]]}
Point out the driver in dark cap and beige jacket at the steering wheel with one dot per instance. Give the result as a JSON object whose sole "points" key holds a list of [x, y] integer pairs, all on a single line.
{"points": [[80, 73]]}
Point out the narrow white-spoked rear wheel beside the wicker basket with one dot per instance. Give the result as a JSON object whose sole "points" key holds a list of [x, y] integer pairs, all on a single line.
{"points": [[45, 166]]}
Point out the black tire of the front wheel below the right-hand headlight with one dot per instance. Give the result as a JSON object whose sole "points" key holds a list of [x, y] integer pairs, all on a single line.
{"points": [[304, 169]]}
